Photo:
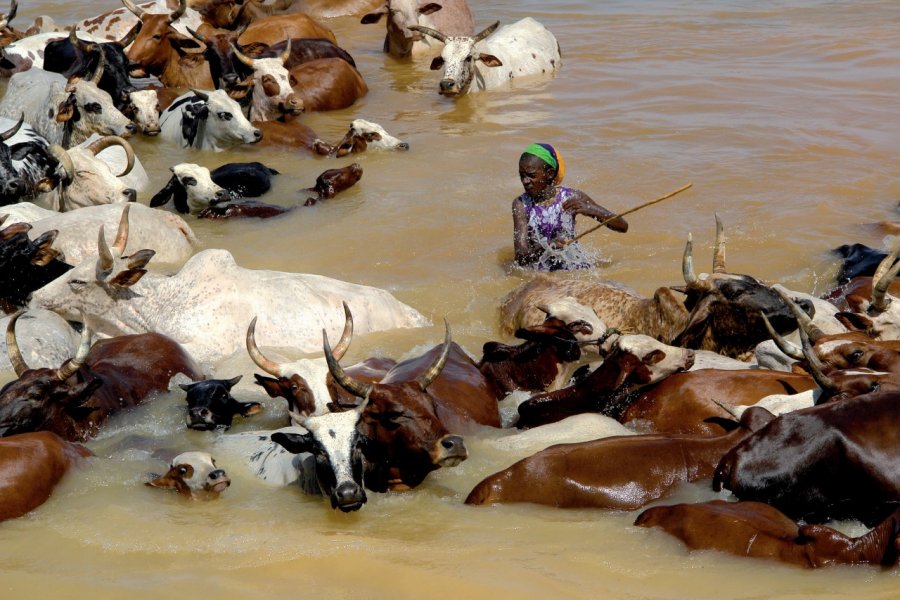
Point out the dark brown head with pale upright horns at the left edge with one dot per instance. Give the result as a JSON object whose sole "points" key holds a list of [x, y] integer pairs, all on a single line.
{"points": [[46, 399]]}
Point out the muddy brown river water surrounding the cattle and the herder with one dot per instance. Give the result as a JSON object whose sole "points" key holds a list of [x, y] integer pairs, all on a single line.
{"points": [[783, 115]]}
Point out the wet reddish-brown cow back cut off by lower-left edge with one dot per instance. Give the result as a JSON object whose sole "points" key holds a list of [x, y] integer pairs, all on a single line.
{"points": [[31, 464]]}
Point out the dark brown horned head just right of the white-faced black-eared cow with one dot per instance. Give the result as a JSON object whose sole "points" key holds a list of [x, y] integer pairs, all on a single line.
{"points": [[407, 439]]}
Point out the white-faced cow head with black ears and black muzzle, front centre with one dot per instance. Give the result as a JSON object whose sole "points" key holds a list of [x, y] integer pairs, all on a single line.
{"points": [[337, 448]]}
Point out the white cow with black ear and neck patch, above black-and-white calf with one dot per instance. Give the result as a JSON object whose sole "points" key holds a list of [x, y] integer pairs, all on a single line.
{"points": [[209, 120]]}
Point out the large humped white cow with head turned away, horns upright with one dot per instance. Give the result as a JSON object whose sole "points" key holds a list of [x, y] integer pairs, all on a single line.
{"points": [[208, 304]]}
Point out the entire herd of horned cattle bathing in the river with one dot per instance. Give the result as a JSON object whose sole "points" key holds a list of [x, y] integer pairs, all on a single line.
{"points": [[785, 399]]}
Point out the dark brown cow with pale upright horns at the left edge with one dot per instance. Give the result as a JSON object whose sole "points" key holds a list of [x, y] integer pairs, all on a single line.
{"points": [[76, 399]]}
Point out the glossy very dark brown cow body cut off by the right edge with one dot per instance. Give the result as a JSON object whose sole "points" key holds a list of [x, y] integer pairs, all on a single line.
{"points": [[839, 460]]}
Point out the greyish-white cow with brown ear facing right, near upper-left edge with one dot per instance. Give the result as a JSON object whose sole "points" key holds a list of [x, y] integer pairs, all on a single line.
{"points": [[64, 112]]}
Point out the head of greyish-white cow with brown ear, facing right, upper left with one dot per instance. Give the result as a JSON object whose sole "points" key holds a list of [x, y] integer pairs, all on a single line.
{"points": [[86, 109]]}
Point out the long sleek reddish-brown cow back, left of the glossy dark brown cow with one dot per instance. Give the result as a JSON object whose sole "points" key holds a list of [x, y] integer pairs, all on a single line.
{"points": [[622, 472]]}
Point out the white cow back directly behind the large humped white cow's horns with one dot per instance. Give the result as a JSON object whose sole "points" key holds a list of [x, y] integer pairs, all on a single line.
{"points": [[78, 230]]}
